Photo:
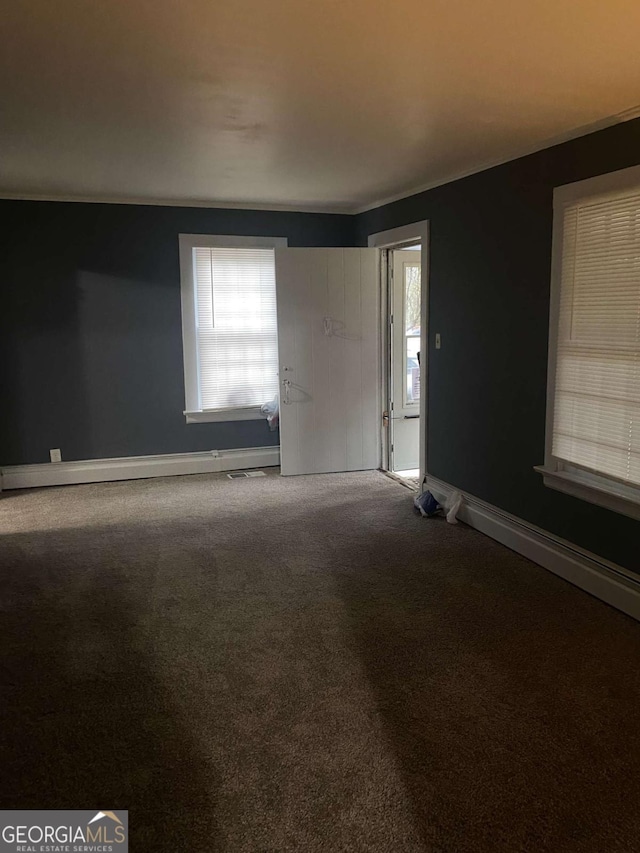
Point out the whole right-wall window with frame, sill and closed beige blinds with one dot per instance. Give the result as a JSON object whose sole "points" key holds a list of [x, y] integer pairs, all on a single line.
{"points": [[593, 417]]}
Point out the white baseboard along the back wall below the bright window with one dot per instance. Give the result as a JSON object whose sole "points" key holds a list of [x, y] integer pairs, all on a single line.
{"points": [[136, 467]]}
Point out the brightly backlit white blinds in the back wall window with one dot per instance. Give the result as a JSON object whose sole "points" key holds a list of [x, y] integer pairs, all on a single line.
{"points": [[236, 332]]}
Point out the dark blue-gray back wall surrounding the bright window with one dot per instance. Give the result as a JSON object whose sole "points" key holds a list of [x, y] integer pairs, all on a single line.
{"points": [[90, 326]]}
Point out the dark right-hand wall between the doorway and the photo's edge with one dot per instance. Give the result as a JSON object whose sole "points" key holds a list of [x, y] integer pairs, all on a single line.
{"points": [[489, 278]]}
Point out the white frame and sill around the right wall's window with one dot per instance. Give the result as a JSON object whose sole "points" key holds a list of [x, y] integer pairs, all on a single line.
{"points": [[599, 489]]}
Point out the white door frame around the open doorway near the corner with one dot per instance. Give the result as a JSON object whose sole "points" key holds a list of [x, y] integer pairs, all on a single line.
{"points": [[396, 238]]}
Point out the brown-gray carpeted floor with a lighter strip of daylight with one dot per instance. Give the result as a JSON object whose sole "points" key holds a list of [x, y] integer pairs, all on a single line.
{"points": [[304, 665]]}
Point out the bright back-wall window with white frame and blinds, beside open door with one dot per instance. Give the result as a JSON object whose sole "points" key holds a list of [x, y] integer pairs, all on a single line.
{"points": [[229, 325]]}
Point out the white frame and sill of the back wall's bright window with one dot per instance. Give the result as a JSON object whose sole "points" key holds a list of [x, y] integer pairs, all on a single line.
{"points": [[187, 243]]}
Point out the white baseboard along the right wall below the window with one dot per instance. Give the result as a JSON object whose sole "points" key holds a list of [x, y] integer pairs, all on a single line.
{"points": [[607, 581]]}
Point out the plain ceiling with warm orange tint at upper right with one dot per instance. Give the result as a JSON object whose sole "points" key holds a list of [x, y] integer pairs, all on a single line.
{"points": [[332, 104]]}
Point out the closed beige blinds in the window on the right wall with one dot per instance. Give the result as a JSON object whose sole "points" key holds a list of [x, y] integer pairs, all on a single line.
{"points": [[596, 421]]}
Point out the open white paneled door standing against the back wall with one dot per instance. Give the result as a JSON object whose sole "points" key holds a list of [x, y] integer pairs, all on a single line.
{"points": [[328, 345]]}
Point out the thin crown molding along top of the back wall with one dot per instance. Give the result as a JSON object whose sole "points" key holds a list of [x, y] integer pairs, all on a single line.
{"points": [[213, 205]]}
